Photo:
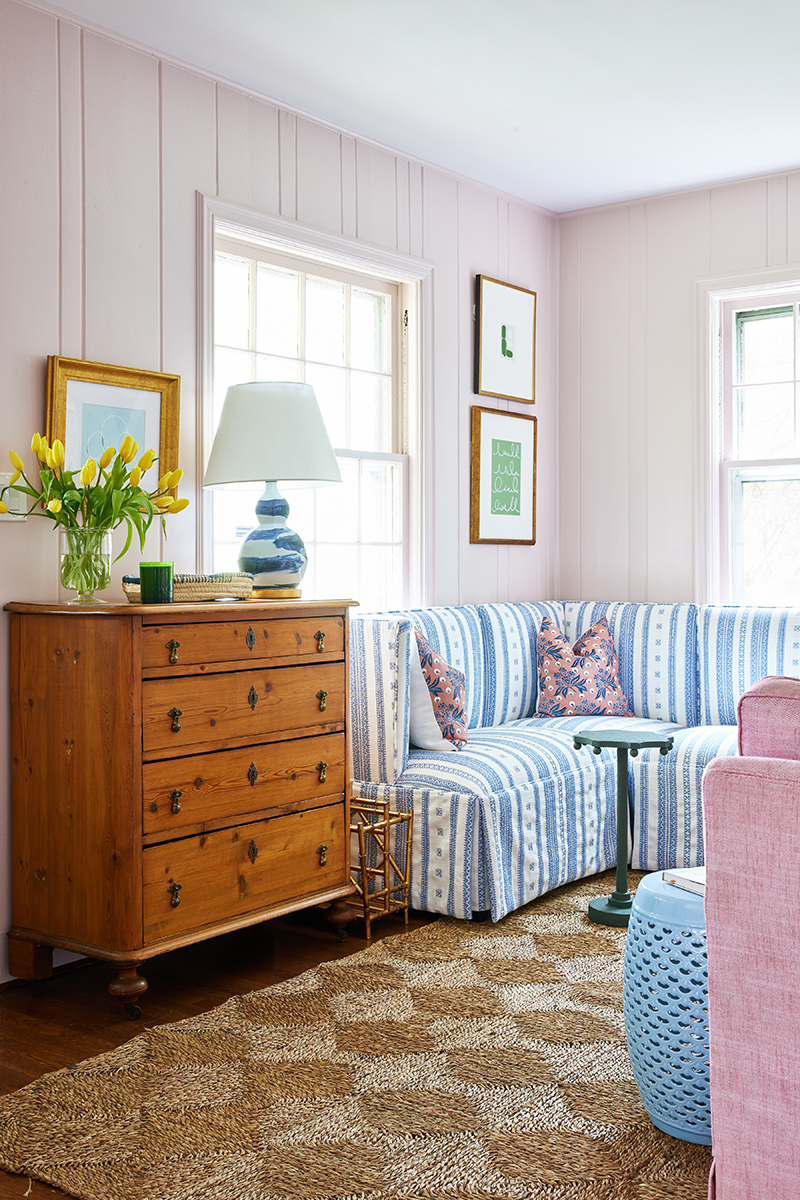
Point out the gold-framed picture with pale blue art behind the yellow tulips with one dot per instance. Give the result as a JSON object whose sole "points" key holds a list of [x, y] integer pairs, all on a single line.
{"points": [[94, 405]]}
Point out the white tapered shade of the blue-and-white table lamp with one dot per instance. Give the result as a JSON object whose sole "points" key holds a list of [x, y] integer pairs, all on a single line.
{"points": [[272, 431]]}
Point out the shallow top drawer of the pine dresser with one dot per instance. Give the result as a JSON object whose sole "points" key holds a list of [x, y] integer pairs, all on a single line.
{"points": [[176, 647]]}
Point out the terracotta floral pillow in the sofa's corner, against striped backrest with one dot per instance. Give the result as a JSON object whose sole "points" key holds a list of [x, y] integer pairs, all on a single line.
{"points": [[580, 681]]}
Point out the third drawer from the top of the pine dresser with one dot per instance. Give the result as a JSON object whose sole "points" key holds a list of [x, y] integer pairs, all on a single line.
{"points": [[233, 783]]}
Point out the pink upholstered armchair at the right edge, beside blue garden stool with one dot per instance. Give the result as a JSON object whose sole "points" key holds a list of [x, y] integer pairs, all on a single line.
{"points": [[751, 812]]}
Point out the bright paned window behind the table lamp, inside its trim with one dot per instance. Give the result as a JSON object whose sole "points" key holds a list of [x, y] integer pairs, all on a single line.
{"points": [[279, 319]]}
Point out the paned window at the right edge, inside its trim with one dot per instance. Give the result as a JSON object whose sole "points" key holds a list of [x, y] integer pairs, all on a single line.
{"points": [[760, 478]]}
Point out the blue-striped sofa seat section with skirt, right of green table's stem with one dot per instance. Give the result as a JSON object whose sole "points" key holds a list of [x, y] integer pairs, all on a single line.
{"points": [[666, 797]]}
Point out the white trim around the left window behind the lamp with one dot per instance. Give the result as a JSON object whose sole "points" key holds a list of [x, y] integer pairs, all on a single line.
{"points": [[416, 280]]}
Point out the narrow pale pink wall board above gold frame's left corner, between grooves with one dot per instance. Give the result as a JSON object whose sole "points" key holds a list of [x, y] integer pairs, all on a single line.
{"points": [[71, 219]]}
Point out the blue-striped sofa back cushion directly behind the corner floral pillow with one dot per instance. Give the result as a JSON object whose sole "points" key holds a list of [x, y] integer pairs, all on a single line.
{"points": [[657, 646]]}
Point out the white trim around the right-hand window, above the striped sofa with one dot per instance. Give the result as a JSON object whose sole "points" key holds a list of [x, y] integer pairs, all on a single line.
{"points": [[712, 567]]}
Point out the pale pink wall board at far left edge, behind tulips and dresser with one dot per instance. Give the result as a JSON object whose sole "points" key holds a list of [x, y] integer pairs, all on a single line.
{"points": [[29, 329]]}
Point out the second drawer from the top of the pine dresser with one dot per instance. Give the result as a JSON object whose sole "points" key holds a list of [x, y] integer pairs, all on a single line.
{"points": [[196, 710]]}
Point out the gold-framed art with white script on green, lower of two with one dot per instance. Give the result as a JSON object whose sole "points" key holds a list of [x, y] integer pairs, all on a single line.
{"points": [[503, 494]]}
